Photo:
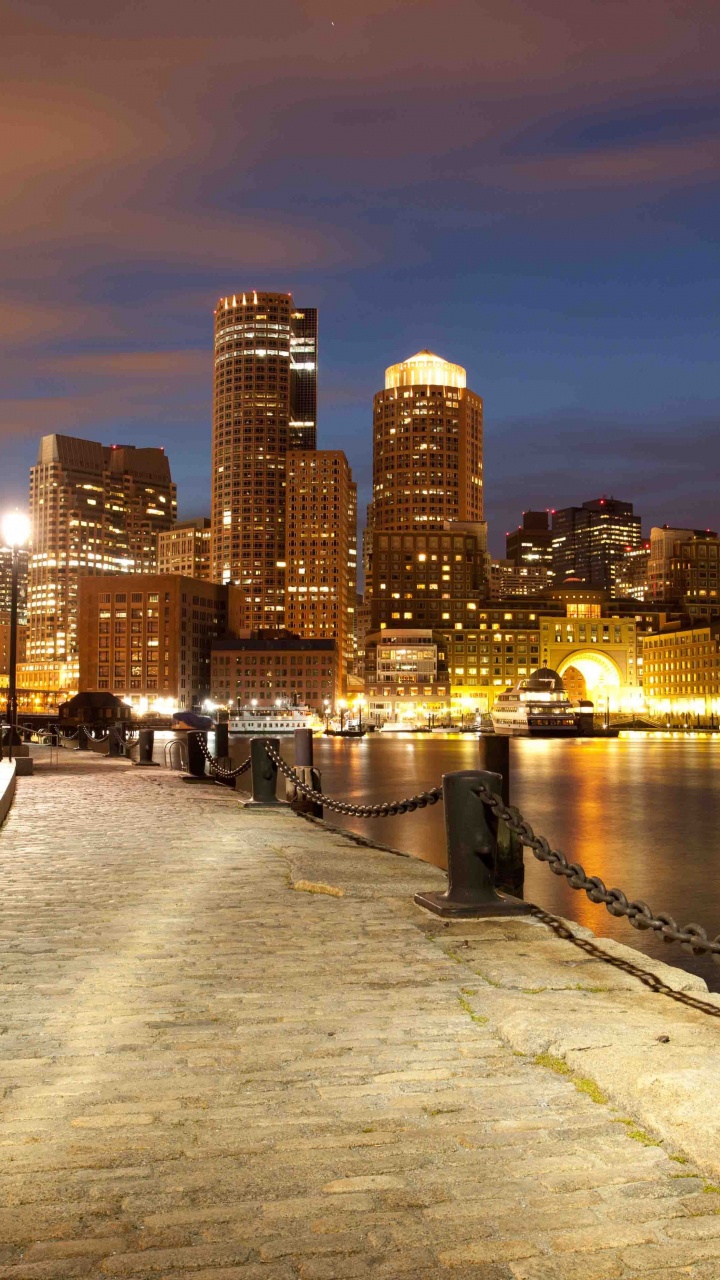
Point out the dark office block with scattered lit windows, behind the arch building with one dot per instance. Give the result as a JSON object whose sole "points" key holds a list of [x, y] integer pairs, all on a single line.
{"points": [[589, 541]]}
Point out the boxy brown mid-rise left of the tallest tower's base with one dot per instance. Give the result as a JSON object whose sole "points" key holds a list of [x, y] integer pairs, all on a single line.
{"points": [[148, 638]]}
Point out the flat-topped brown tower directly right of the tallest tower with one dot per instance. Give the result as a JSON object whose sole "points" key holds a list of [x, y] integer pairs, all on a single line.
{"points": [[322, 550]]}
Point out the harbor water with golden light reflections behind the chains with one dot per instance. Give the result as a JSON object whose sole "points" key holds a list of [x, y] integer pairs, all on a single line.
{"points": [[641, 811]]}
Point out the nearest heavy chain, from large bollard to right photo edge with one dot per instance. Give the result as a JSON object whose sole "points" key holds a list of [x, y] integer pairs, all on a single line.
{"points": [[694, 938]]}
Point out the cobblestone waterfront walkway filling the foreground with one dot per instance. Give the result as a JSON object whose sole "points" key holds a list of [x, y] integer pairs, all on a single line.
{"points": [[213, 1068]]}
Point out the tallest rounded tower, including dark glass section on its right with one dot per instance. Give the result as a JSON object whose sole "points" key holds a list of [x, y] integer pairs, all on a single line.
{"points": [[252, 429]]}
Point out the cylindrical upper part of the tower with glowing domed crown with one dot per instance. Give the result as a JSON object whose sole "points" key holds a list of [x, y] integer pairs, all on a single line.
{"points": [[427, 447]]}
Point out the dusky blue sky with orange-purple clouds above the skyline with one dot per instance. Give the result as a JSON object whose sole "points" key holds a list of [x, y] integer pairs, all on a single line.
{"points": [[528, 189]]}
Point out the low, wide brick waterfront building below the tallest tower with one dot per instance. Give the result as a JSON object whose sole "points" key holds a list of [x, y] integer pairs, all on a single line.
{"points": [[267, 666]]}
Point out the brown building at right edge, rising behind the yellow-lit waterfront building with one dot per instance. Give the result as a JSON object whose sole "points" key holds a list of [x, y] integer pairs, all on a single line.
{"points": [[683, 568]]}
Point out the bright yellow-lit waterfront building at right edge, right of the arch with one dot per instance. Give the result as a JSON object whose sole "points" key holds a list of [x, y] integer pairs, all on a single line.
{"points": [[682, 670]]}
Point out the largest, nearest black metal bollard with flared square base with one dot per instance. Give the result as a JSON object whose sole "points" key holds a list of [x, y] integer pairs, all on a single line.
{"points": [[472, 852]]}
